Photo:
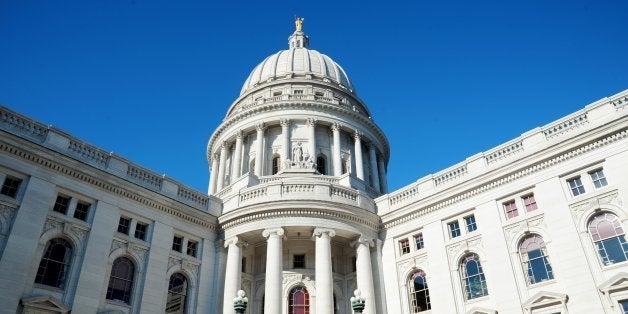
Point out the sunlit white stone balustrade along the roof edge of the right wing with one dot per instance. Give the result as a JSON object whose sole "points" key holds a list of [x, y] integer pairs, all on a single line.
{"points": [[596, 114]]}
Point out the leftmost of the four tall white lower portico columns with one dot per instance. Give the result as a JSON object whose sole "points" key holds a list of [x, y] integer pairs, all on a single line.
{"points": [[233, 275]]}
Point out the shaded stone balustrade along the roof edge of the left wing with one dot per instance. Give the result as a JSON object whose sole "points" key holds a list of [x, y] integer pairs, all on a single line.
{"points": [[65, 144]]}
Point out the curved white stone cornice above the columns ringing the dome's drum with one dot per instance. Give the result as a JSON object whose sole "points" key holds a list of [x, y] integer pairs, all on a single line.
{"points": [[296, 104]]}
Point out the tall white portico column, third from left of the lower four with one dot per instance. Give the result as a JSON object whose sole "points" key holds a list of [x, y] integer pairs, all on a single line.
{"points": [[323, 272]]}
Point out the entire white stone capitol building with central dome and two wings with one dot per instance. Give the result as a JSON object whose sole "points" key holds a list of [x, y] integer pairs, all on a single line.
{"points": [[298, 214]]}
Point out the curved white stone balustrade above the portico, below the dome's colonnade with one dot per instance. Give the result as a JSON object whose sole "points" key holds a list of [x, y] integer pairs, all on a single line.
{"points": [[300, 189]]}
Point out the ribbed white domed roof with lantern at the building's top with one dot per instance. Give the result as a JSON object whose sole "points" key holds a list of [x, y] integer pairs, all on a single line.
{"points": [[298, 62]]}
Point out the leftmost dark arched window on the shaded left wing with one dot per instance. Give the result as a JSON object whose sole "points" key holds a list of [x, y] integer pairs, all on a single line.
{"points": [[54, 264]]}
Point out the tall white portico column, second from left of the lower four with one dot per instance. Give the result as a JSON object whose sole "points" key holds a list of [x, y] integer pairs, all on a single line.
{"points": [[274, 270]]}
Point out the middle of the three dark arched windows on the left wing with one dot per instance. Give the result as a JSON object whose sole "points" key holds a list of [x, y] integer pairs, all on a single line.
{"points": [[121, 280]]}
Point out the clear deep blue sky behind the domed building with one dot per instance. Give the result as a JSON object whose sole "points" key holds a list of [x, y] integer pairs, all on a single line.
{"points": [[150, 80]]}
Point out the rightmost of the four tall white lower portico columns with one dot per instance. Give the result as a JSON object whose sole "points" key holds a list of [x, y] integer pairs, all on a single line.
{"points": [[364, 272]]}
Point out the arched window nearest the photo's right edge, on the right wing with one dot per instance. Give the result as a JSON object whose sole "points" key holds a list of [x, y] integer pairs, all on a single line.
{"points": [[609, 238]]}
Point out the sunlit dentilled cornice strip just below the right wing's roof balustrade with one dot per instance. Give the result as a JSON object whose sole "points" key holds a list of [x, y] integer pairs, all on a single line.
{"points": [[395, 218]]}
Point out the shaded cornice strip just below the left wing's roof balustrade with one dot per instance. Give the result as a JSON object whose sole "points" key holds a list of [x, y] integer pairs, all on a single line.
{"points": [[101, 184]]}
